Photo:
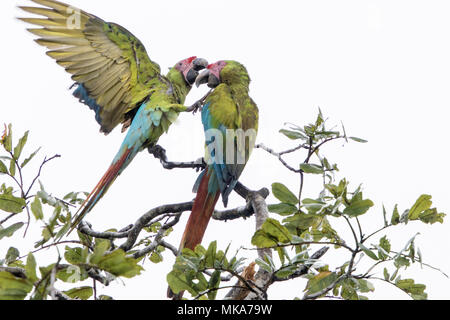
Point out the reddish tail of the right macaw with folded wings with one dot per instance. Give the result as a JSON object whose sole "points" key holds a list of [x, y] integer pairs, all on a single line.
{"points": [[207, 195]]}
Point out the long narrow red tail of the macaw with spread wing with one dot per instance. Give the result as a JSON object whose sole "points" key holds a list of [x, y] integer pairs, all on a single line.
{"points": [[99, 191]]}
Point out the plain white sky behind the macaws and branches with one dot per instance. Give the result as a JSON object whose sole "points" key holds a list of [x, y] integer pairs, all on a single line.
{"points": [[381, 67]]}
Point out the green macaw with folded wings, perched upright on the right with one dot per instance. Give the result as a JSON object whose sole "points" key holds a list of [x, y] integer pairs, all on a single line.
{"points": [[229, 115]]}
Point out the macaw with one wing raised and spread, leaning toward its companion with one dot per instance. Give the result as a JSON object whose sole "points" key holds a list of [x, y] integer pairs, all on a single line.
{"points": [[114, 77]]}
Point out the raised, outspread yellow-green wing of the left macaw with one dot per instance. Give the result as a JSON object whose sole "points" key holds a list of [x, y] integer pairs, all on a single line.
{"points": [[109, 64]]}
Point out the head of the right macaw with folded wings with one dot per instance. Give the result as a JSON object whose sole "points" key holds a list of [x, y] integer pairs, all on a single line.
{"points": [[224, 71]]}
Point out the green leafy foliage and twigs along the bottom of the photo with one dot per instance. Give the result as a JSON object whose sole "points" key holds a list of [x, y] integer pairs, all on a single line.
{"points": [[293, 231]]}
